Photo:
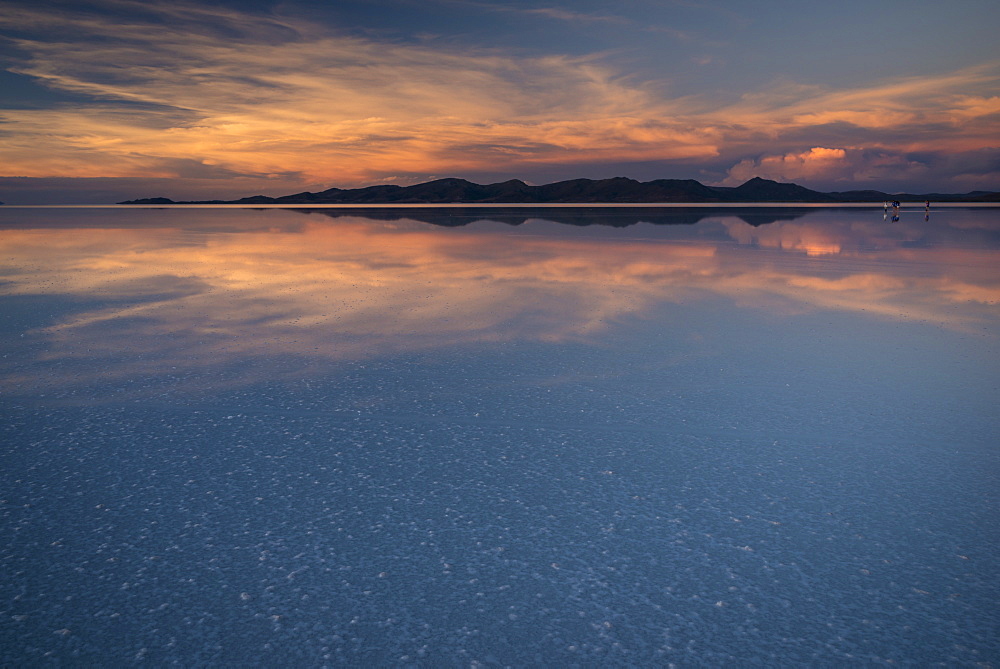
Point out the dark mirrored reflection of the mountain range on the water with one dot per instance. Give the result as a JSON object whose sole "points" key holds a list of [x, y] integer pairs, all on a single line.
{"points": [[617, 217]]}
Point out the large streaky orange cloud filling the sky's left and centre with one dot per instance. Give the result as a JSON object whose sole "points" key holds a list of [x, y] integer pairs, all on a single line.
{"points": [[354, 107]]}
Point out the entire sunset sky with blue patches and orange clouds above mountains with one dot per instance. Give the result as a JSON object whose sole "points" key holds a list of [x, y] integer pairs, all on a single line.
{"points": [[107, 100]]}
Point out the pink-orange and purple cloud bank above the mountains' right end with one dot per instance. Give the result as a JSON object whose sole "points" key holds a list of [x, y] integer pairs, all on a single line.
{"points": [[887, 134]]}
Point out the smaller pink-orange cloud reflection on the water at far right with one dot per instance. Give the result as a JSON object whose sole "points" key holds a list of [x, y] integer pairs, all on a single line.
{"points": [[872, 268]]}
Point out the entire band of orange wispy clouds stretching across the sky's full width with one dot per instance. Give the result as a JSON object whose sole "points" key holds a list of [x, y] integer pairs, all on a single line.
{"points": [[189, 88]]}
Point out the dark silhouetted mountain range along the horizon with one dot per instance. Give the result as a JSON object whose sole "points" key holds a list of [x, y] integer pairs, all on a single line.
{"points": [[619, 190]]}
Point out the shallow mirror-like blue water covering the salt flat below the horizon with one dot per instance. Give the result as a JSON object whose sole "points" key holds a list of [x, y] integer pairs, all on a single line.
{"points": [[581, 437]]}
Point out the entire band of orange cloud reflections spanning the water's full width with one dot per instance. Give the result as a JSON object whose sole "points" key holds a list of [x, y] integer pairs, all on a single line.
{"points": [[355, 288]]}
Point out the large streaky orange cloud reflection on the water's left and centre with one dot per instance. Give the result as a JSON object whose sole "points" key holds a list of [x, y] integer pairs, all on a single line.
{"points": [[348, 290]]}
